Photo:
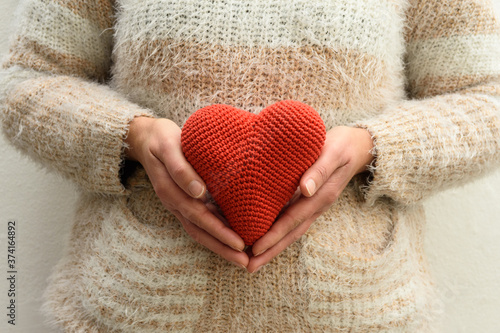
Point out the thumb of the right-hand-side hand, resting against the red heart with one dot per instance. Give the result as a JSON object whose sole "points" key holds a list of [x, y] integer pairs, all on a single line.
{"points": [[319, 173]]}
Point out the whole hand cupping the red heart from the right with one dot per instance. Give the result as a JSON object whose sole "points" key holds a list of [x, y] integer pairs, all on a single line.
{"points": [[347, 152]]}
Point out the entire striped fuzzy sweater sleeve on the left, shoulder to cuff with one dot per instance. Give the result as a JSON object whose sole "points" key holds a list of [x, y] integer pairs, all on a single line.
{"points": [[55, 104]]}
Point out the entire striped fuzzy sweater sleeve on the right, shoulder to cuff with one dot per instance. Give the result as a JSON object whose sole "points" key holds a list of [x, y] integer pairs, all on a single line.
{"points": [[448, 131]]}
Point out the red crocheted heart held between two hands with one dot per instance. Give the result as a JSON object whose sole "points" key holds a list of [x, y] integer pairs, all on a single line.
{"points": [[251, 163]]}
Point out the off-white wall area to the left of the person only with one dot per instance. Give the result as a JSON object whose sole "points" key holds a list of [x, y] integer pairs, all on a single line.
{"points": [[42, 205]]}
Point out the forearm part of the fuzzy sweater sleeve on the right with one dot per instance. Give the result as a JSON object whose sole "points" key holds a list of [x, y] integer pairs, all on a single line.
{"points": [[422, 146]]}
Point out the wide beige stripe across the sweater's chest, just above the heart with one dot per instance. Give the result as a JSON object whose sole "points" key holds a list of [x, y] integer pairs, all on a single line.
{"points": [[253, 78]]}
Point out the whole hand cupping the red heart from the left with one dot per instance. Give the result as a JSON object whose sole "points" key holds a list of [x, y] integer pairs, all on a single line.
{"points": [[156, 144]]}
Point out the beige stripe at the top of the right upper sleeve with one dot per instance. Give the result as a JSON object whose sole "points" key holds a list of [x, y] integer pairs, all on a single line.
{"points": [[450, 18]]}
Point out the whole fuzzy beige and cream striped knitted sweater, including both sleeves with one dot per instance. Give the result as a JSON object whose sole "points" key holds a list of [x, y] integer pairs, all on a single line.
{"points": [[420, 75]]}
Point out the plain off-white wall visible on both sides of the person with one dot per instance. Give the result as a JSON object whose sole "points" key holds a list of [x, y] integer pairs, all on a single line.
{"points": [[462, 240]]}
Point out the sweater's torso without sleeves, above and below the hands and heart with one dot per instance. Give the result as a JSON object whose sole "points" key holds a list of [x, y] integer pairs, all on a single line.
{"points": [[357, 269]]}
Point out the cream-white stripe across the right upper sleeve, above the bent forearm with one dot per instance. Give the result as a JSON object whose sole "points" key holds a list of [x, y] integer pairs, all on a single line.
{"points": [[454, 56]]}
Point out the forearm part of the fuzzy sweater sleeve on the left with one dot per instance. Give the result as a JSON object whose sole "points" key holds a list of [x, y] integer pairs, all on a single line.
{"points": [[72, 126]]}
